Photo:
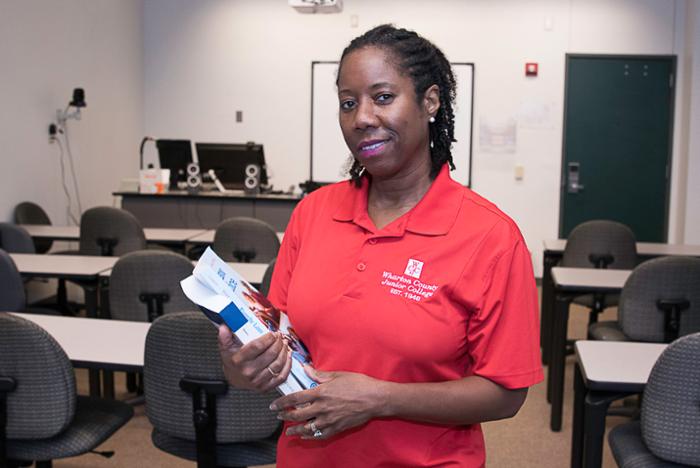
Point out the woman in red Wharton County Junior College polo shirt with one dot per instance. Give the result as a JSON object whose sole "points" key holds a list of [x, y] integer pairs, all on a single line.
{"points": [[414, 296]]}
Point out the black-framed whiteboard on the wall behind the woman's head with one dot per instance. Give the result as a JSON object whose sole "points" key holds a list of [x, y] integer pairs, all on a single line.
{"points": [[329, 155]]}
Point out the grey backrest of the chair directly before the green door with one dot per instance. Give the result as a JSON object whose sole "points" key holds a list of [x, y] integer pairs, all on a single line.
{"points": [[600, 238]]}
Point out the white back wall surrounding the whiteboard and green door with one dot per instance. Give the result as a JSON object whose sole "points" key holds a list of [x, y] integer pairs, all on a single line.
{"points": [[204, 60]]}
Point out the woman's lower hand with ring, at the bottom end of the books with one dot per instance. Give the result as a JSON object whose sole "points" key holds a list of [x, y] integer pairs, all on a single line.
{"points": [[342, 400]]}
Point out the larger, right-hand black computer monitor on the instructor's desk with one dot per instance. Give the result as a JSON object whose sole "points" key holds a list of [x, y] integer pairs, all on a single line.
{"points": [[229, 161]]}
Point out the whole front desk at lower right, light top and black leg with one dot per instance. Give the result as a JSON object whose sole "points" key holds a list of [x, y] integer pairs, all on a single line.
{"points": [[604, 372]]}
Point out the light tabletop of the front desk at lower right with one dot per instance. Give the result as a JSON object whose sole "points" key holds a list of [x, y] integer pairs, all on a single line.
{"points": [[622, 366]]}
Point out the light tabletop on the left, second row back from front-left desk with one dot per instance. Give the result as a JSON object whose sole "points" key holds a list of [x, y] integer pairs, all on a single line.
{"points": [[74, 266]]}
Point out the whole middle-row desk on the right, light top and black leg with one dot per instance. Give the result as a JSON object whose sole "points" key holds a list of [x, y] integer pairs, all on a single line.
{"points": [[569, 283]]}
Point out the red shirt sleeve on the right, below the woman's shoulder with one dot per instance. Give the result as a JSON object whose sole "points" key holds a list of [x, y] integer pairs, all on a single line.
{"points": [[503, 330]]}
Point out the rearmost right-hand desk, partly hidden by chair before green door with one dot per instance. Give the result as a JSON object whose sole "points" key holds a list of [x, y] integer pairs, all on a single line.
{"points": [[553, 251]]}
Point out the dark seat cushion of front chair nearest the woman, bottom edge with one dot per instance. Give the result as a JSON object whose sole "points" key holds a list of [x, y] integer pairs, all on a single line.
{"points": [[239, 454]]}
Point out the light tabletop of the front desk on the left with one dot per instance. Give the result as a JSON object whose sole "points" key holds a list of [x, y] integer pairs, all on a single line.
{"points": [[96, 343]]}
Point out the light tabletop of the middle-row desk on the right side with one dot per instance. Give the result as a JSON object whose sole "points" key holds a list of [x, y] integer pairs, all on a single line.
{"points": [[589, 279]]}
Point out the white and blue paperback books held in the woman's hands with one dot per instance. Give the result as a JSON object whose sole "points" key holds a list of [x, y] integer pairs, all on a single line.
{"points": [[225, 297]]}
